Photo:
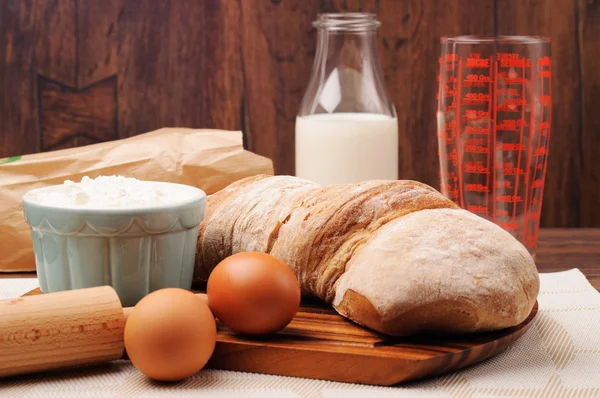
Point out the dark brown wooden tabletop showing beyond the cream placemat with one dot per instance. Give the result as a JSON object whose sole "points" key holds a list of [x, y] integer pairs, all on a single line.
{"points": [[559, 249]]}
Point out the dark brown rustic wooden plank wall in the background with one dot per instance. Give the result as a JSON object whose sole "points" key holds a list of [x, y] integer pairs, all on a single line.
{"points": [[74, 72]]}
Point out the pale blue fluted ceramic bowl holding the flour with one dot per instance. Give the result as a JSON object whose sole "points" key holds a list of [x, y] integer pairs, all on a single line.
{"points": [[134, 250]]}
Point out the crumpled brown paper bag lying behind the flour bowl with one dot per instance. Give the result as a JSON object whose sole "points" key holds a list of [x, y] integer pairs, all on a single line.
{"points": [[207, 159]]}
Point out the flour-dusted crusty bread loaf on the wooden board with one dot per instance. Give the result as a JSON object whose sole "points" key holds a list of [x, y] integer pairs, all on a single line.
{"points": [[394, 256]]}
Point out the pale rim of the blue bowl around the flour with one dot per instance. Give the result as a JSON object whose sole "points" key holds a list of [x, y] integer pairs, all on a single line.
{"points": [[197, 199]]}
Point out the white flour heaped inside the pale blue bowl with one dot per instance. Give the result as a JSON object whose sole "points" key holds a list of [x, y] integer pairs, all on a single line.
{"points": [[113, 192]]}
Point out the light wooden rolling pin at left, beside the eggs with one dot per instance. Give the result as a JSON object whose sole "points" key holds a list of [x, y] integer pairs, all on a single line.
{"points": [[58, 330]]}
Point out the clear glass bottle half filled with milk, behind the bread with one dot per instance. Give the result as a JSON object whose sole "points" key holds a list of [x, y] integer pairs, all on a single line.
{"points": [[346, 129]]}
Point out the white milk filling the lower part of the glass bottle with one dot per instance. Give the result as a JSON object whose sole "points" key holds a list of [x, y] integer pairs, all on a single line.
{"points": [[337, 148]]}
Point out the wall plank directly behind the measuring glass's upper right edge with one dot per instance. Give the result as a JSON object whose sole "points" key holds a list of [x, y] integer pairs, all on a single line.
{"points": [[557, 19]]}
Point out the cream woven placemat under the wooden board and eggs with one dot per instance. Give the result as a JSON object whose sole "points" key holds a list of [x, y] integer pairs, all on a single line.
{"points": [[559, 356]]}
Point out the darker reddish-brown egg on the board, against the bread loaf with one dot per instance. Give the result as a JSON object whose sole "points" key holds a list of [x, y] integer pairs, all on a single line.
{"points": [[253, 293]]}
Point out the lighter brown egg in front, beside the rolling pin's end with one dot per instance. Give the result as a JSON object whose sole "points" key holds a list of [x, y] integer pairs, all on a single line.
{"points": [[170, 334]]}
